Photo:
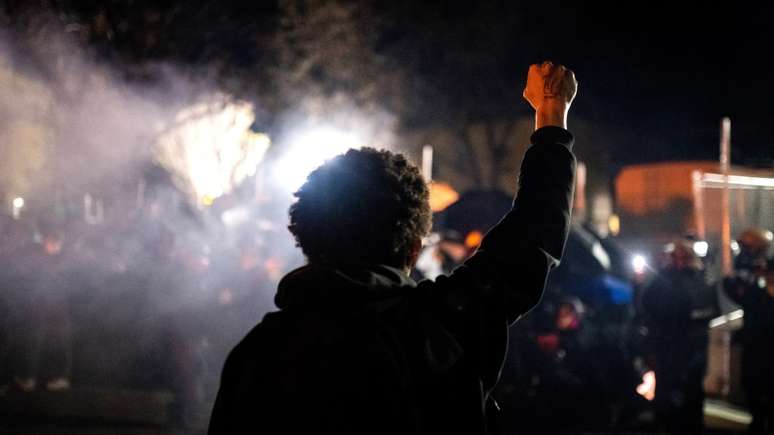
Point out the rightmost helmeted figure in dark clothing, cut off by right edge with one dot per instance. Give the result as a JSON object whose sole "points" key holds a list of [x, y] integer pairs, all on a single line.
{"points": [[752, 287]]}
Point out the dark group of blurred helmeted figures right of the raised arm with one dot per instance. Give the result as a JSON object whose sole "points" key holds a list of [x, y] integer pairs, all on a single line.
{"points": [[567, 369]]}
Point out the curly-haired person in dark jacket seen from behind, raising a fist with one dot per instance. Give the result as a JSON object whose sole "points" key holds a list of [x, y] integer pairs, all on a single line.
{"points": [[357, 346]]}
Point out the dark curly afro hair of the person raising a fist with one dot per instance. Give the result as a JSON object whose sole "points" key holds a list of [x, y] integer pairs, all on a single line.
{"points": [[363, 207]]}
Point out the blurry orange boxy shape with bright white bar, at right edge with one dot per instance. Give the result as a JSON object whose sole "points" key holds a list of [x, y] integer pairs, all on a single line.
{"points": [[662, 201]]}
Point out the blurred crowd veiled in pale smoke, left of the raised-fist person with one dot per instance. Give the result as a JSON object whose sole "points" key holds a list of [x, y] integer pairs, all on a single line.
{"points": [[134, 302]]}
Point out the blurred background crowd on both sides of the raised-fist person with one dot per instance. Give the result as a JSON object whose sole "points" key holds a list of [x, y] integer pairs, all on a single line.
{"points": [[84, 308]]}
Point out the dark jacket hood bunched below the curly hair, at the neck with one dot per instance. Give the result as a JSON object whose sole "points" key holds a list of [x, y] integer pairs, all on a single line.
{"points": [[316, 286]]}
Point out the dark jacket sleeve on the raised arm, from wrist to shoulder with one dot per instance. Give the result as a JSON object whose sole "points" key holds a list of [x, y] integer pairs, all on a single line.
{"points": [[507, 274]]}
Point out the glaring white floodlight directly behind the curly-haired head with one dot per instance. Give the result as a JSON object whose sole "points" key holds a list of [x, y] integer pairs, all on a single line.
{"points": [[309, 150]]}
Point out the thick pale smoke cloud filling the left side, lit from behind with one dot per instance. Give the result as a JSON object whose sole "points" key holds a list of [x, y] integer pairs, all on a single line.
{"points": [[140, 252]]}
